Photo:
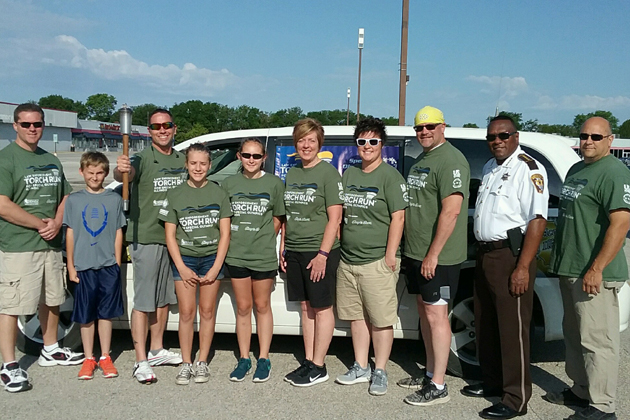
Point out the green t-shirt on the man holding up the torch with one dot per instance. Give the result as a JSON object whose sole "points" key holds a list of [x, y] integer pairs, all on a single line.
{"points": [[156, 173]]}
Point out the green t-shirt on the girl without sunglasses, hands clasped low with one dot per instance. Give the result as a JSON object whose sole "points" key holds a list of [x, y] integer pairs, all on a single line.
{"points": [[196, 212]]}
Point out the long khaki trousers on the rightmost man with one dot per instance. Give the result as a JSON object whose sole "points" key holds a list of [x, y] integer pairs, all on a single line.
{"points": [[591, 338]]}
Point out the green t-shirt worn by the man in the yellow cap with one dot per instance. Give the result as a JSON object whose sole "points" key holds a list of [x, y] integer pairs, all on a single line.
{"points": [[433, 177]]}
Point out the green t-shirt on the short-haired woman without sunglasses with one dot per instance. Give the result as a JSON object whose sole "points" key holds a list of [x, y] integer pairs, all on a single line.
{"points": [[309, 192]]}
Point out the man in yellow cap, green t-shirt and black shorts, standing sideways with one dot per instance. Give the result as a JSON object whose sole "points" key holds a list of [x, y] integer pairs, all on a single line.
{"points": [[435, 246]]}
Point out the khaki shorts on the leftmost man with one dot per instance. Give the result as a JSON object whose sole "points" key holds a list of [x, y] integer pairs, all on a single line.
{"points": [[29, 278]]}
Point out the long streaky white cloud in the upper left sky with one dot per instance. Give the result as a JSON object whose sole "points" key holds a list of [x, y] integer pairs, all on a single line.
{"points": [[67, 51]]}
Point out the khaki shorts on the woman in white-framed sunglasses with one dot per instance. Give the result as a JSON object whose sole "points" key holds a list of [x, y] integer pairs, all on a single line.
{"points": [[368, 292]]}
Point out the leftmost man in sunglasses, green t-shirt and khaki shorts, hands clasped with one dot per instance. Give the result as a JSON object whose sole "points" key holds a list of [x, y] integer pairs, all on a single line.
{"points": [[33, 192]]}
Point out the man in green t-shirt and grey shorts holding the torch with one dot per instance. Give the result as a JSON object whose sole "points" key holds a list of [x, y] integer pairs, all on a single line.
{"points": [[152, 173]]}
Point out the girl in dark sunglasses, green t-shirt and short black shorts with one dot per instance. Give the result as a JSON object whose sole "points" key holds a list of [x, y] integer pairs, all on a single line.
{"points": [[252, 263]]}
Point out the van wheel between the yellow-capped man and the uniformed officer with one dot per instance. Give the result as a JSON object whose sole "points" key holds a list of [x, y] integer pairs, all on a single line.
{"points": [[462, 360]]}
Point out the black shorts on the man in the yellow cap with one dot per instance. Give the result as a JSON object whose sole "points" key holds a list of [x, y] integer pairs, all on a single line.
{"points": [[443, 285]]}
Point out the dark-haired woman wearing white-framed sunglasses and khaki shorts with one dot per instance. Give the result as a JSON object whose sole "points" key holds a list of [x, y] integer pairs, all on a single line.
{"points": [[375, 198]]}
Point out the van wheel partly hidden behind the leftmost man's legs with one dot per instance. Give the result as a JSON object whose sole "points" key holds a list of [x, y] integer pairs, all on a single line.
{"points": [[30, 340]]}
